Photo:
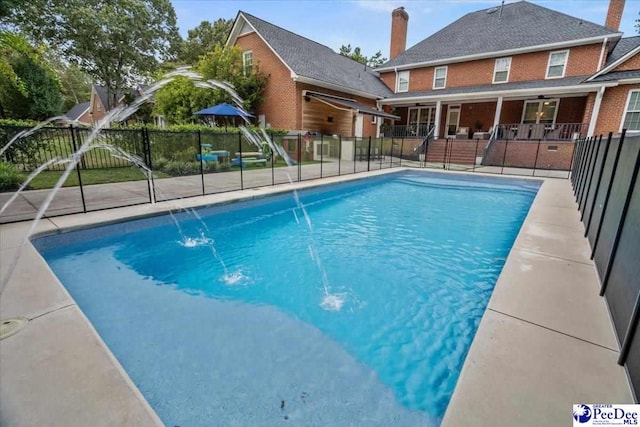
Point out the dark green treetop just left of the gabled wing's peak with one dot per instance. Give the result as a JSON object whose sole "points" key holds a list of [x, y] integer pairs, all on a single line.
{"points": [[204, 38]]}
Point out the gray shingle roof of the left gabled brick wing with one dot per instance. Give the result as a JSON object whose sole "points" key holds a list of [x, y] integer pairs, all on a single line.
{"points": [[310, 59]]}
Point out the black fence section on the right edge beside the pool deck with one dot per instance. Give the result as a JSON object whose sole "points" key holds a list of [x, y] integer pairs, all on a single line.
{"points": [[607, 189]]}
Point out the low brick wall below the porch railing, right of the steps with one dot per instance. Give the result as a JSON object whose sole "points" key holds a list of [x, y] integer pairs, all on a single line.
{"points": [[530, 154]]}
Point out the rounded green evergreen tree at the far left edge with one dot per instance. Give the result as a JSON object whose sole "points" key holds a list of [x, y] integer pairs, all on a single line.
{"points": [[29, 89]]}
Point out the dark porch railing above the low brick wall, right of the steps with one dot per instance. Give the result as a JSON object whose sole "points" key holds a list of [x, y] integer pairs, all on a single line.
{"points": [[541, 131]]}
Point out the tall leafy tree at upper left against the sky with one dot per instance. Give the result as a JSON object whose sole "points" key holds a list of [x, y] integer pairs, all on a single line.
{"points": [[116, 42]]}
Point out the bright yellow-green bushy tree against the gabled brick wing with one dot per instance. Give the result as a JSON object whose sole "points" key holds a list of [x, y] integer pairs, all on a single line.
{"points": [[180, 99]]}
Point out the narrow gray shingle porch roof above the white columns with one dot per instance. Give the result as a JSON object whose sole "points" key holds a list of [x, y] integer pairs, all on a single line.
{"points": [[535, 84]]}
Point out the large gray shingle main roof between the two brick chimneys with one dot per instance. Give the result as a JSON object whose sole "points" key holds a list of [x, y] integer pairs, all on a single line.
{"points": [[521, 25]]}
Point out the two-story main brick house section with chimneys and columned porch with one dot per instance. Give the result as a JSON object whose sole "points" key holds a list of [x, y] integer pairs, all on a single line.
{"points": [[537, 73]]}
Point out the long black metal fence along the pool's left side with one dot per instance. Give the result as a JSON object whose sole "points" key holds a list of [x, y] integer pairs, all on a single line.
{"points": [[184, 164]]}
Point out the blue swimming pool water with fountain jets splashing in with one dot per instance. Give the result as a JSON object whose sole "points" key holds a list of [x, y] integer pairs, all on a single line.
{"points": [[409, 263]]}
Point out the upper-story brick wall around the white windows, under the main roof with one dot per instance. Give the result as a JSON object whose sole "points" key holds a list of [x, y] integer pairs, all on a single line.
{"points": [[583, 60]]}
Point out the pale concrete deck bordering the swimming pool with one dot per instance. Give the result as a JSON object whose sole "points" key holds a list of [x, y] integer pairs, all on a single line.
{"points": [[545, 342]]}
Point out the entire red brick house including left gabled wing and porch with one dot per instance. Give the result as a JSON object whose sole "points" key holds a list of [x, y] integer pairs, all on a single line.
{"points": [[526, 70]]}
